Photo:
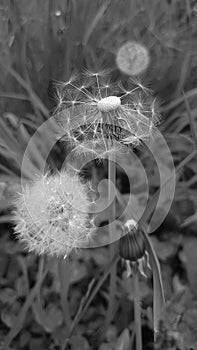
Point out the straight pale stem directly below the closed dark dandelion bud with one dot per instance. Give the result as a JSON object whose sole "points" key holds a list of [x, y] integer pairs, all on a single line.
{"points": [[137, 310]]}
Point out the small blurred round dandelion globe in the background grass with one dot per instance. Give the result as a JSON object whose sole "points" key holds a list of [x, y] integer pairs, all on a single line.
{"points": [[132, 58]]}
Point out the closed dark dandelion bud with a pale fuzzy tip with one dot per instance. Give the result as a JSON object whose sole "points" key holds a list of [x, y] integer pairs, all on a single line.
{"points": [[131, 245]]}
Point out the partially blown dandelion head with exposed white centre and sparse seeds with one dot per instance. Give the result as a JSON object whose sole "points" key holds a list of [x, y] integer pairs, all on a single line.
{"points": [[97, 116]]}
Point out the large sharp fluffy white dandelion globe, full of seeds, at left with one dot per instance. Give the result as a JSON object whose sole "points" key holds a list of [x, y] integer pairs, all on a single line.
{"points": [[51, 215]]}
